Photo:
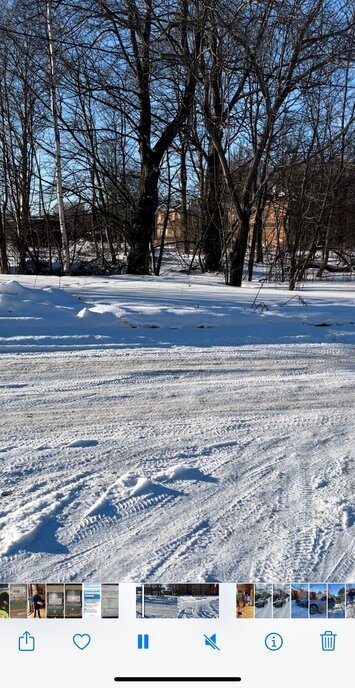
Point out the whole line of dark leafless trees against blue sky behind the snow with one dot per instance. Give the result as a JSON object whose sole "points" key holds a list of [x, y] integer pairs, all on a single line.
{"points": [[239, 115]]}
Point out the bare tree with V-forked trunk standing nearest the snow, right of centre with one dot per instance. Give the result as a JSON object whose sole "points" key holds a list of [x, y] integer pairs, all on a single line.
{"points": [[283, 50]]}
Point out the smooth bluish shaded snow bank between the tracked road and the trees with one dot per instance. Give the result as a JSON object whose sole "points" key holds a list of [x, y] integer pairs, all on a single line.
{"points": [[116, 312]]}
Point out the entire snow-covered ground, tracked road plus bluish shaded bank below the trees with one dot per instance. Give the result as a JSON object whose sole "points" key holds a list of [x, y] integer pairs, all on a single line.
{"points": [[164, 429]]}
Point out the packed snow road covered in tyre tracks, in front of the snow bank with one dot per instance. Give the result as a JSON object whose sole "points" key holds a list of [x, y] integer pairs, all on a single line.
{"points": [[185, 463]]}
